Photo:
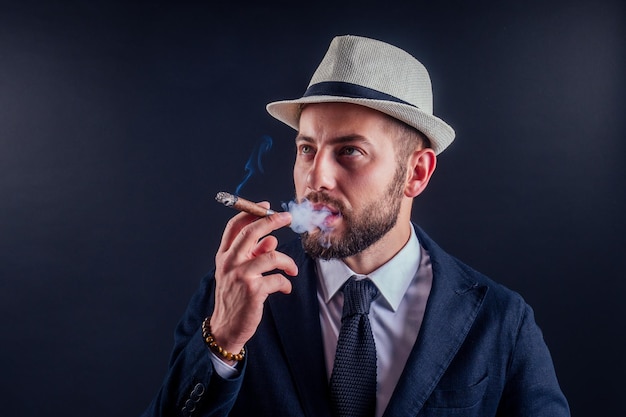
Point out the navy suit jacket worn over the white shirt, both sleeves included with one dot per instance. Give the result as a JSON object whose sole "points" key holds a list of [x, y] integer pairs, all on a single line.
{"points": [[479, 353]]}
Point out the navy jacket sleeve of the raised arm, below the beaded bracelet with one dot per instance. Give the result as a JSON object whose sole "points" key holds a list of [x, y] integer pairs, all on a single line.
{"points": [[191, 386]]}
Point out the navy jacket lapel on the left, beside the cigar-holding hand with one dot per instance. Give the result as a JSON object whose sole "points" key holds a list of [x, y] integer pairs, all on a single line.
{"points": [[296, 316]]}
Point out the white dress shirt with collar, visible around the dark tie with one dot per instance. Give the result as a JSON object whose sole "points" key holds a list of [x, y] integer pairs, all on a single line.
{"points": [[396, 315]]}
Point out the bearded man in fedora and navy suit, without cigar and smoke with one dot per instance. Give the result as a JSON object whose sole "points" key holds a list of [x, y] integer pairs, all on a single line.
{"points": [[268, 333]]}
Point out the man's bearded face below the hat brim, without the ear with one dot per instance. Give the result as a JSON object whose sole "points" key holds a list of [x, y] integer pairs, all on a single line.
{"points": [[346, 163]]}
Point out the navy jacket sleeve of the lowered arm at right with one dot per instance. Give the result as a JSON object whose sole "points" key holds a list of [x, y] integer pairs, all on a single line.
{"points": [[531, 387]]}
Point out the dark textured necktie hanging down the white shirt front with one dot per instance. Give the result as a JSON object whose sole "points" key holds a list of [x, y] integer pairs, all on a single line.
{"points": [[353, 380]]}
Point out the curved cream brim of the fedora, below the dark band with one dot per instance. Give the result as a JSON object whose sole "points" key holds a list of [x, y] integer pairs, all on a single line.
{"points": [[438, 132]]}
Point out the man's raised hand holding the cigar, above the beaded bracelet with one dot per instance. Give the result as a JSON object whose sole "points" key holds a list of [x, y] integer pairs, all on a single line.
{"points": [[246, 252]]}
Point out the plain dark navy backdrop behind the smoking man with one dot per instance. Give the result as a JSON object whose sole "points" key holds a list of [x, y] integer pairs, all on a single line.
{"points": [[119, 122]]}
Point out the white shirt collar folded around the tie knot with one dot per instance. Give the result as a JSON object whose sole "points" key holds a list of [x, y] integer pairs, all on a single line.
{"points": [[392, 279]]}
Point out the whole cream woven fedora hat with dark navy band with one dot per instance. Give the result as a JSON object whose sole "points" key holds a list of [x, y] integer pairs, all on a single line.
{"points": [[374, 74]]}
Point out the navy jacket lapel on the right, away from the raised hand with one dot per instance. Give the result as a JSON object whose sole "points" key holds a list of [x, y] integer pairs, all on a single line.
{"points": [[455, 300]]}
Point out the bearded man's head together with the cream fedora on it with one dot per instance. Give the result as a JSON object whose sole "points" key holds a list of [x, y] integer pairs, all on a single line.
{"points": [[366, 144]]}
